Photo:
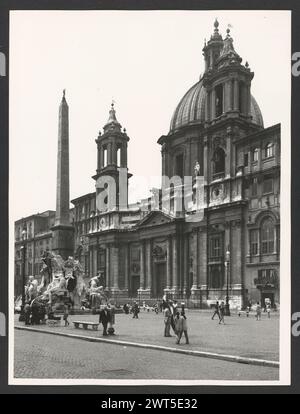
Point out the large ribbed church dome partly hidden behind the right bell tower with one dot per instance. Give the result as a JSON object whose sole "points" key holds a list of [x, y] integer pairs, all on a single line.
{"points": [[191, 109]]}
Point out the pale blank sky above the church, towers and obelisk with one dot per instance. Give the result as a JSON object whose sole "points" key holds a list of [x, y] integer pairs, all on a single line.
{"points": [[143, 60]]}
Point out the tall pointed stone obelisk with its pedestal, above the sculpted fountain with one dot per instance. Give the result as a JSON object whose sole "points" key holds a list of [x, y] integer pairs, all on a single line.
{"points": [[63, 231]]}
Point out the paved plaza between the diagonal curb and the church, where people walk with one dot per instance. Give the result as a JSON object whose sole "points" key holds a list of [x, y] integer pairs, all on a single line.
{"points": [[239, 336]]}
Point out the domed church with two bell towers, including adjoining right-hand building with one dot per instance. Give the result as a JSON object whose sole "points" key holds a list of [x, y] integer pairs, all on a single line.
{"points": [[143, 252]]}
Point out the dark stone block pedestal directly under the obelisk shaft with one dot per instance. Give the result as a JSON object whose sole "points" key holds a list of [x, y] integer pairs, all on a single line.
{"points": [[63, 240]]}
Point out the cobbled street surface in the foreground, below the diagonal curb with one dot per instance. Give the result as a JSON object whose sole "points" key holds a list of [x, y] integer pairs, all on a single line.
{"points": [[45, 356]]}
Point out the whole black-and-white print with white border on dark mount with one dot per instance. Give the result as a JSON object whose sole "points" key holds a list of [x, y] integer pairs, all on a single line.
{"points": [[149, 189]]}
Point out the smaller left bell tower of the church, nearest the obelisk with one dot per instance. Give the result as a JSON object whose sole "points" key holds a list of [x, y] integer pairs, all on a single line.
{"points": [[112, 164]]}
